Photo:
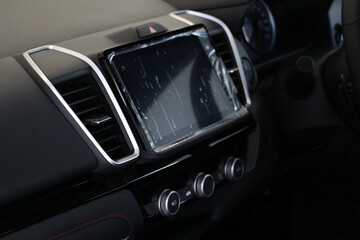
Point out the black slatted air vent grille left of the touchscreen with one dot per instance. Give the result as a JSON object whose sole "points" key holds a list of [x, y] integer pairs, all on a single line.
{"points": [[85, 98]]}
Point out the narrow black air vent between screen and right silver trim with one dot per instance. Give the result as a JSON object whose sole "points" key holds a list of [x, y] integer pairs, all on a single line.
{"points": [[224, 50]]}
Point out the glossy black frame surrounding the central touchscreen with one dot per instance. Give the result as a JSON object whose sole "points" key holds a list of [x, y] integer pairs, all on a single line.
{"points": [[208, 131]]}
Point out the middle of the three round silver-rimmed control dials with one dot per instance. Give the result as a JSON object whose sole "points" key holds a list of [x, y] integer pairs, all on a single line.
{"points": [[204, 185]]}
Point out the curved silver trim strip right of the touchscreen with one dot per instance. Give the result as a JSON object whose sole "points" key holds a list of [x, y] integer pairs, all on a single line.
{"points": [[176, 15]]}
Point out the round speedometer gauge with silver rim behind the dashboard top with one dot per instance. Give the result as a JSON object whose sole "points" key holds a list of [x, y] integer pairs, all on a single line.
{"points": [[259, 28]]}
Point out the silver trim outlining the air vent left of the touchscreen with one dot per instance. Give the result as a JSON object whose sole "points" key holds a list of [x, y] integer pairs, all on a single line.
{"points": [[107, 88]]}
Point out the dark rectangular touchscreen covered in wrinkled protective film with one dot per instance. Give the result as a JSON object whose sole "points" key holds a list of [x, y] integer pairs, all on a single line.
{"points": [[173, 88]]}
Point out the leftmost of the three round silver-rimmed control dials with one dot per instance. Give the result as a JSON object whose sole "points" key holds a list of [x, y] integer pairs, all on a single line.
{"points": [[169, 202]]}
